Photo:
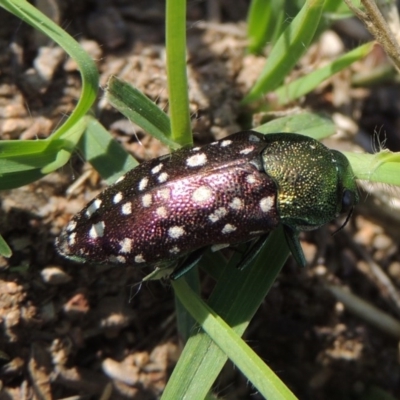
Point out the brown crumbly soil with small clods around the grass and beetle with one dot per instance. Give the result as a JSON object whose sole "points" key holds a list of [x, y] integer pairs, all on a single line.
{"points": [[77, 330]]}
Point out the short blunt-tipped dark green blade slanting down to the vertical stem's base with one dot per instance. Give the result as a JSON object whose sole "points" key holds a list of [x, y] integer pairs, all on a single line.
{"points": [[140, 109]]}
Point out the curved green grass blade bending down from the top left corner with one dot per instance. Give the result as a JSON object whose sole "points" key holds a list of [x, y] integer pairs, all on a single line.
{"points": [[90, 79]]}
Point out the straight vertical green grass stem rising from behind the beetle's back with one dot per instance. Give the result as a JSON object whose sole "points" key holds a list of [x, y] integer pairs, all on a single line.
{"points": [[176, 71]]}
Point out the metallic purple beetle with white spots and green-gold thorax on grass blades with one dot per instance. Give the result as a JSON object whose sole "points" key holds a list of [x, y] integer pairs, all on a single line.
{"points": [[230, 191]]}
